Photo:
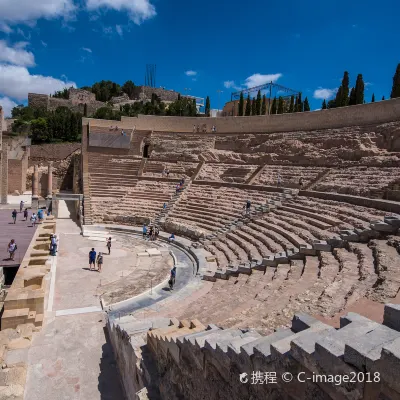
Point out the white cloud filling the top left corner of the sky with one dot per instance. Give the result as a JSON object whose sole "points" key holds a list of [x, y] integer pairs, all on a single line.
{"points": [[28, 11]]}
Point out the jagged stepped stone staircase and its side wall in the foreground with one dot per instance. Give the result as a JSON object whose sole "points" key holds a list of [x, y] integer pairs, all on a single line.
{"points": [[165, 358]]}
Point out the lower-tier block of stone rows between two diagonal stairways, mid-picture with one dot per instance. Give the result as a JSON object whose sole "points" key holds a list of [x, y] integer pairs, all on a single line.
{"points": [[209, 208]]}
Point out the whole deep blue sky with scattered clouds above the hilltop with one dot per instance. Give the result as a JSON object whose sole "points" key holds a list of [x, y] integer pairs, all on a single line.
{"points": [[203, 46]]}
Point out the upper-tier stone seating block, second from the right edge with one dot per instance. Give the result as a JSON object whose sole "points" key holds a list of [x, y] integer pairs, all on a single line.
{"points": [[289, 175]]}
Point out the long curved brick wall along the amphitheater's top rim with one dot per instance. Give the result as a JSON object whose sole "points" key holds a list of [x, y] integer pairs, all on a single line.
{"points": [[364, 114]]}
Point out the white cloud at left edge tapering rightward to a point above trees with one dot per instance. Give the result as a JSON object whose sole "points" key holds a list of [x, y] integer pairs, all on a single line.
{"points": [[16, 82]]}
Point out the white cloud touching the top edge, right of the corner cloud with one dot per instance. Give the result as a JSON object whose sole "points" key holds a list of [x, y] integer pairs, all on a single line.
{"points": [[138, 10]]}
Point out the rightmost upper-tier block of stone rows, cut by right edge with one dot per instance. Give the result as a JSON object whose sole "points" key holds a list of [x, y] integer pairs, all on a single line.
{"points": [[358, 181]]}
